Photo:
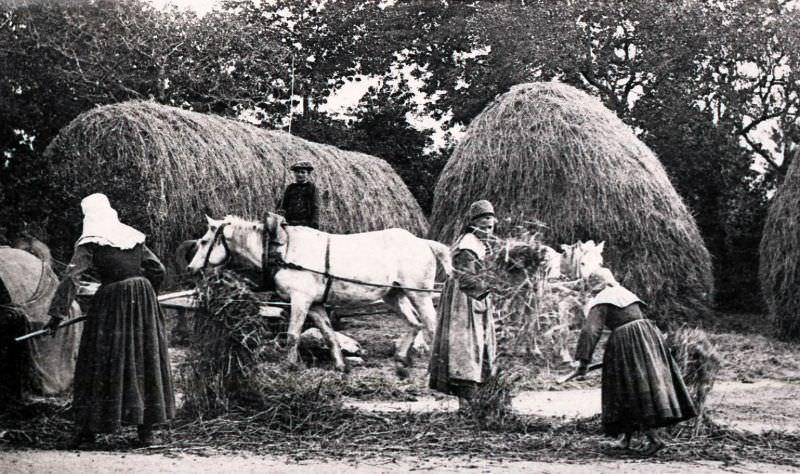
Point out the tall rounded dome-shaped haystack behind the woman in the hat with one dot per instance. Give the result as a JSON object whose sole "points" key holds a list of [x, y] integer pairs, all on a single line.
{"points": [[550, 152]]}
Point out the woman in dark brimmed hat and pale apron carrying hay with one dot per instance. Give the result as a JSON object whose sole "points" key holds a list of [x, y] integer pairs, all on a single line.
{"points": [[464, 343]]}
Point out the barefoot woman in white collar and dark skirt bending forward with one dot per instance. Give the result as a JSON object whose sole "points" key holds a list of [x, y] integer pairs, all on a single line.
{"points": [[642, 387]]}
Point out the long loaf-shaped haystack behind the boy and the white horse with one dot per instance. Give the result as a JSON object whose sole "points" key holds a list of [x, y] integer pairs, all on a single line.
{"points": [[164, 167]]}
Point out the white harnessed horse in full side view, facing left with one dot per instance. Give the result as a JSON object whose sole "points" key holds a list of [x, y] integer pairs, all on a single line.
{"points": [[318, 268]]}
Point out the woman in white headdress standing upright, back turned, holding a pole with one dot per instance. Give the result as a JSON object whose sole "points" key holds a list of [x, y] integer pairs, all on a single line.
{"points": [[122, 375]]}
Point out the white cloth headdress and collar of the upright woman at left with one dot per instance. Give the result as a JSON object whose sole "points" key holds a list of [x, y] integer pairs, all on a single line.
{"points": [[101, 225]]}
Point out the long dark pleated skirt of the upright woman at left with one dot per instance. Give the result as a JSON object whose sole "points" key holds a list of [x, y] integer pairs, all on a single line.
{"points": [[122, 376]]}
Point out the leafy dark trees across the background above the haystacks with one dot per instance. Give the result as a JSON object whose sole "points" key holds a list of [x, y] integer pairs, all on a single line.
{"points": [[710, 85]]}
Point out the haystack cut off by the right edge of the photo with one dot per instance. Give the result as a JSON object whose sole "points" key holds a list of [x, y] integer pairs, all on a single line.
{"points": [[779, 255]]}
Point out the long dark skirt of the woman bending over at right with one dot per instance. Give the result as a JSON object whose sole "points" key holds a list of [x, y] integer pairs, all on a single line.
{"points": [[642, 386]]}
